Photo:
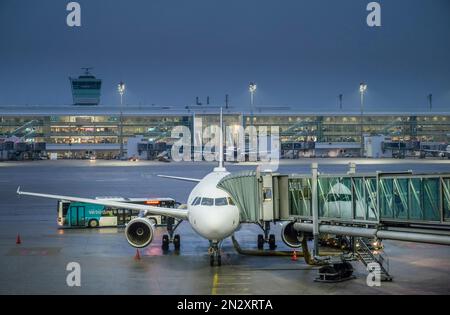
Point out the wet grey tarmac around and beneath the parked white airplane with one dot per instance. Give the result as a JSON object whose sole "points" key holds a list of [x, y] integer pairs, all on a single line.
{"points": [[38, 264]]}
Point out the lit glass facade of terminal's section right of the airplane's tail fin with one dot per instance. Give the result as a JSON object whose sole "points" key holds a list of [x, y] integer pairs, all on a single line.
{"points": [[348, 128]]}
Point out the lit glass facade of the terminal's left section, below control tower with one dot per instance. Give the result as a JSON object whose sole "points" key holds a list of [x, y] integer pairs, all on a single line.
{"points": [[89, 129]]}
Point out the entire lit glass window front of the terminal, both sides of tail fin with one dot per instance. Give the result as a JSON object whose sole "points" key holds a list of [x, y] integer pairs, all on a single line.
{"points": [[296, 129]]}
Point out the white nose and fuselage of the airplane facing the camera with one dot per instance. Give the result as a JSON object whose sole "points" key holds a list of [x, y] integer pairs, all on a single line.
{"points": [[214, 217]]}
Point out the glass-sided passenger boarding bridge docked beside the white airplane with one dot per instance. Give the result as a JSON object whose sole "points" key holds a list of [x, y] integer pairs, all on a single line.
{"points": [[399, 206]]}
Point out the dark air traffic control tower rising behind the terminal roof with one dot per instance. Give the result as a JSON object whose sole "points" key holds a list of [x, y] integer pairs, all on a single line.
{"points": [[86, 89]]}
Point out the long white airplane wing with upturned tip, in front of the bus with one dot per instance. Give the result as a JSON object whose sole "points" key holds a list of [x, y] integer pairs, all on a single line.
{"points": [[171, 212]]}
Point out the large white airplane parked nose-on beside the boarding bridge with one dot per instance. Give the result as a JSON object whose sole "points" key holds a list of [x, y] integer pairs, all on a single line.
{"points": [[210, 211]]}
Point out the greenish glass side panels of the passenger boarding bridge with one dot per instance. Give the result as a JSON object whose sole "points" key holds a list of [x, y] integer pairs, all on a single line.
{"points": [[371, 199]]}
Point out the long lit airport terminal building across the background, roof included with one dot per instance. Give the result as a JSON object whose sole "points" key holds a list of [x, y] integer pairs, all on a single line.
{"points": [[72, 130]]}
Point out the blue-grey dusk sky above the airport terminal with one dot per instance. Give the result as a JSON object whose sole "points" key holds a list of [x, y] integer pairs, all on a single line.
{"points": [[302, 54]]}
